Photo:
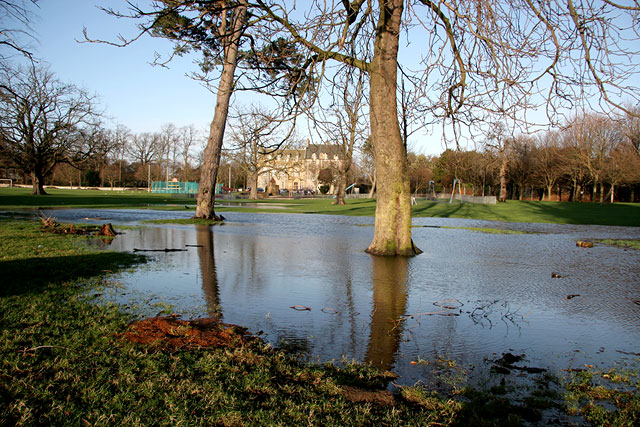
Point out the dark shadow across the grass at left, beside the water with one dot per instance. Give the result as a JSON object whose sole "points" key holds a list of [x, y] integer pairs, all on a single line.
{"points": [[32, 274]]}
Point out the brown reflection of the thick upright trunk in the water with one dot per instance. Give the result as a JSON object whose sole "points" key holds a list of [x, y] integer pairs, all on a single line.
{"points": [[389, 277]]}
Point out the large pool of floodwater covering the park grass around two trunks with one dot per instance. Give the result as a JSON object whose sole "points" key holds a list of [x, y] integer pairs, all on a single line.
{"points": [[306, 283]]}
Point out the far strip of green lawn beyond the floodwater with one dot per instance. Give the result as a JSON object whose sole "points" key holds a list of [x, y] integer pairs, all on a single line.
{"points": [[621, 214]]}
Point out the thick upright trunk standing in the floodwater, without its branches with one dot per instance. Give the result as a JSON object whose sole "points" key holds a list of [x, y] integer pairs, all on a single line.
{"points": [[392, 235]]}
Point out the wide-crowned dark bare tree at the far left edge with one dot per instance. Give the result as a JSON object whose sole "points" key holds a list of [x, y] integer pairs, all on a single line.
{"points": [[39, 121]]}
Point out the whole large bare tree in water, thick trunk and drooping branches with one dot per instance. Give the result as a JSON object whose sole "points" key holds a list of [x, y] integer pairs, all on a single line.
{"points": [[477, 64]]}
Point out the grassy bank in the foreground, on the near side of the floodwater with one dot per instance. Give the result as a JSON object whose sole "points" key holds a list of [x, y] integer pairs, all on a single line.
{"points": [[65, 362]]}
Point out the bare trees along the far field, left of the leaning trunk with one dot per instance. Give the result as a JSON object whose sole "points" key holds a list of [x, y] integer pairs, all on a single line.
{"points": [[53, 131]]}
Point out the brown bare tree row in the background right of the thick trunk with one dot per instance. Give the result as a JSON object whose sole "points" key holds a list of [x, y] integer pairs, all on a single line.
{"points": [[594, 157]]}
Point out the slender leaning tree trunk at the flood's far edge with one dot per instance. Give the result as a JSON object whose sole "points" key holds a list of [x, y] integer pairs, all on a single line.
{"points": [[213, 151]]}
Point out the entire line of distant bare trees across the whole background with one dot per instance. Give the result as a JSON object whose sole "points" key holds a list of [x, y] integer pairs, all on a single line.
{"points": [[54, 131]]}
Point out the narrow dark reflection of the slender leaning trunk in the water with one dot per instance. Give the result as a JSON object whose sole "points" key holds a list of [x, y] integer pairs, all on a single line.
{"points": [[204, 237]]}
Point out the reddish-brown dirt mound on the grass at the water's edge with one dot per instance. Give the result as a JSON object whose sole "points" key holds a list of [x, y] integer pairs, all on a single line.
{"points": [[170, 333]]}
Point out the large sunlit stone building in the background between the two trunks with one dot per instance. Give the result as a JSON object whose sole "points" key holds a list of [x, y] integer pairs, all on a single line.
{"points": [[298, 169]]}
